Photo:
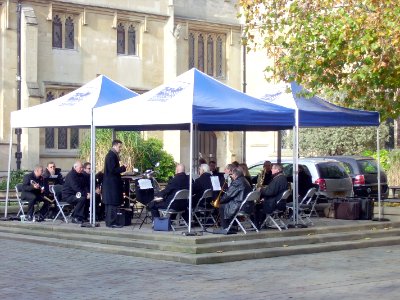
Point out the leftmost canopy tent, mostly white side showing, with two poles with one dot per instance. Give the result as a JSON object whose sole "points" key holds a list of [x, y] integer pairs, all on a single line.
{"points": [[74, 109]]}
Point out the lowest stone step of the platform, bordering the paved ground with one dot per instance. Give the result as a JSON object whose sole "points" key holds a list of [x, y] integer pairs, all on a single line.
{"points": [[208, 258]]}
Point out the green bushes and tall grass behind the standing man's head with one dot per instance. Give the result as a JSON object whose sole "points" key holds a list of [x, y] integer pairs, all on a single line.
{"points": [[137, 152]]}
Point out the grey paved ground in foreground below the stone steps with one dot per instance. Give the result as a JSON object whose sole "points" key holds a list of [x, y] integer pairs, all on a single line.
{"points": [[30, 271]]}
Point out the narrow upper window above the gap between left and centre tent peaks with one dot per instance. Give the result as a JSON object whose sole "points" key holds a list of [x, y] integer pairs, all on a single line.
{"points": [[127, 38]]}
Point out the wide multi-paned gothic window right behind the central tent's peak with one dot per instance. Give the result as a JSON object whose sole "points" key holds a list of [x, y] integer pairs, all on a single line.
{"points": [[207, 52]]}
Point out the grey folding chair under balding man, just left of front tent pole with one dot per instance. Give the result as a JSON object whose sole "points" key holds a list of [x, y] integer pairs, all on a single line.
{"points": [[181, 198]]}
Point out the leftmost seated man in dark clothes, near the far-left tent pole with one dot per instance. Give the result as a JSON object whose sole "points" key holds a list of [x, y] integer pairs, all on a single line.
{"points": [[33, 192]]}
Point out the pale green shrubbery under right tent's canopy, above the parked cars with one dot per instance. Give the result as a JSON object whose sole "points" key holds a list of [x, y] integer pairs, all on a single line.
{"points": [[337, 140]]}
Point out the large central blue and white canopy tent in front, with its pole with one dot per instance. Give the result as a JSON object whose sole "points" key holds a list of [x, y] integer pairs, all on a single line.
{"points": [[194, 99]]}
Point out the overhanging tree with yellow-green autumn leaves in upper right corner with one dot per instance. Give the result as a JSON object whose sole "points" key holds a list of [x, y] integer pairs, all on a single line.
{"points": [[346, 50]]}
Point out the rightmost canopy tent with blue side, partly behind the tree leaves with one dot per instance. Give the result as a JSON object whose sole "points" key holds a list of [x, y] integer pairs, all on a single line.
{"points": [[317, 112]]}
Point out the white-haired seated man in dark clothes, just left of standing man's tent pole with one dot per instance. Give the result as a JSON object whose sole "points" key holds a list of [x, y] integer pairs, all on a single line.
{"points": [[76, 192]]}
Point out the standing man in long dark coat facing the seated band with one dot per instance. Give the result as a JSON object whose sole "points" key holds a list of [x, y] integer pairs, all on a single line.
{"points": [[112, 184]]}
